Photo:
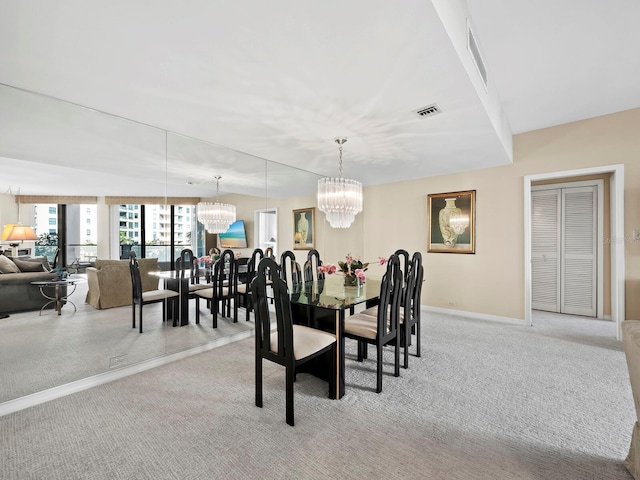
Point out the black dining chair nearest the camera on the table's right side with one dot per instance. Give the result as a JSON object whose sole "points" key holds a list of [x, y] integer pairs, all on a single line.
{"points": [[381, 329]]}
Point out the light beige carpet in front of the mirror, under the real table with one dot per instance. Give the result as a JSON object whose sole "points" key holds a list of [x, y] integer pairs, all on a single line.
{"points": [[485, 401]]}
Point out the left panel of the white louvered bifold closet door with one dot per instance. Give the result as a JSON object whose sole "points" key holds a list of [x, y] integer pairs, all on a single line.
{"points": [[545, 250]]}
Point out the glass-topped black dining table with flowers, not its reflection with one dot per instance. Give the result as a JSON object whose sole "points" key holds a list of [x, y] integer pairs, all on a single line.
{"points": [[323, 304]]}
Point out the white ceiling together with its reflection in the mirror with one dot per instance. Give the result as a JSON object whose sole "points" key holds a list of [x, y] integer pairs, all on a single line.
{"points": [[248, 80]]}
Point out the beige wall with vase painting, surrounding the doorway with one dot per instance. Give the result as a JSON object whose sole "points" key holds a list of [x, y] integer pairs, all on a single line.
{"points": [[491, 282]]}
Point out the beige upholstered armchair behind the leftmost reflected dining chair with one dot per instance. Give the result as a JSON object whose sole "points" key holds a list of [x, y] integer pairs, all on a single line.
{"points": [[110, 281]]}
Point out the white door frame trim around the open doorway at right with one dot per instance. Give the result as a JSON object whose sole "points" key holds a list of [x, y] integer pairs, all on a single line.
{"points": [[616, 193]]}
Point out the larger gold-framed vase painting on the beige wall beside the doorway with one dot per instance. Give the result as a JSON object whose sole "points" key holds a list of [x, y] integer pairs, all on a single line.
{"points": [[452, 222]]}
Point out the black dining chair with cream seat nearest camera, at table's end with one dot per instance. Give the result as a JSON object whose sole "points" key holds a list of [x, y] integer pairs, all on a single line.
{"points": [[289, 345]]}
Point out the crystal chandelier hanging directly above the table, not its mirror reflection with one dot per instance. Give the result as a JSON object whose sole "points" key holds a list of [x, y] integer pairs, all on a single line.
{"points": [[339, 198]]}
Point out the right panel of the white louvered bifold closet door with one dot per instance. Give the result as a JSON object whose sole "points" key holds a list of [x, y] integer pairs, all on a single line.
{"points": [[579, 254]]}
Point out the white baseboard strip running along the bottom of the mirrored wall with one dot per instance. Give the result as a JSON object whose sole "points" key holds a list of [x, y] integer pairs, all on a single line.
{"points": [[37, 398]]}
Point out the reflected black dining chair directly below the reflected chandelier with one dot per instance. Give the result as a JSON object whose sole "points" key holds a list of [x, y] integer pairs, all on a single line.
{"points": [[223, 289]]}
